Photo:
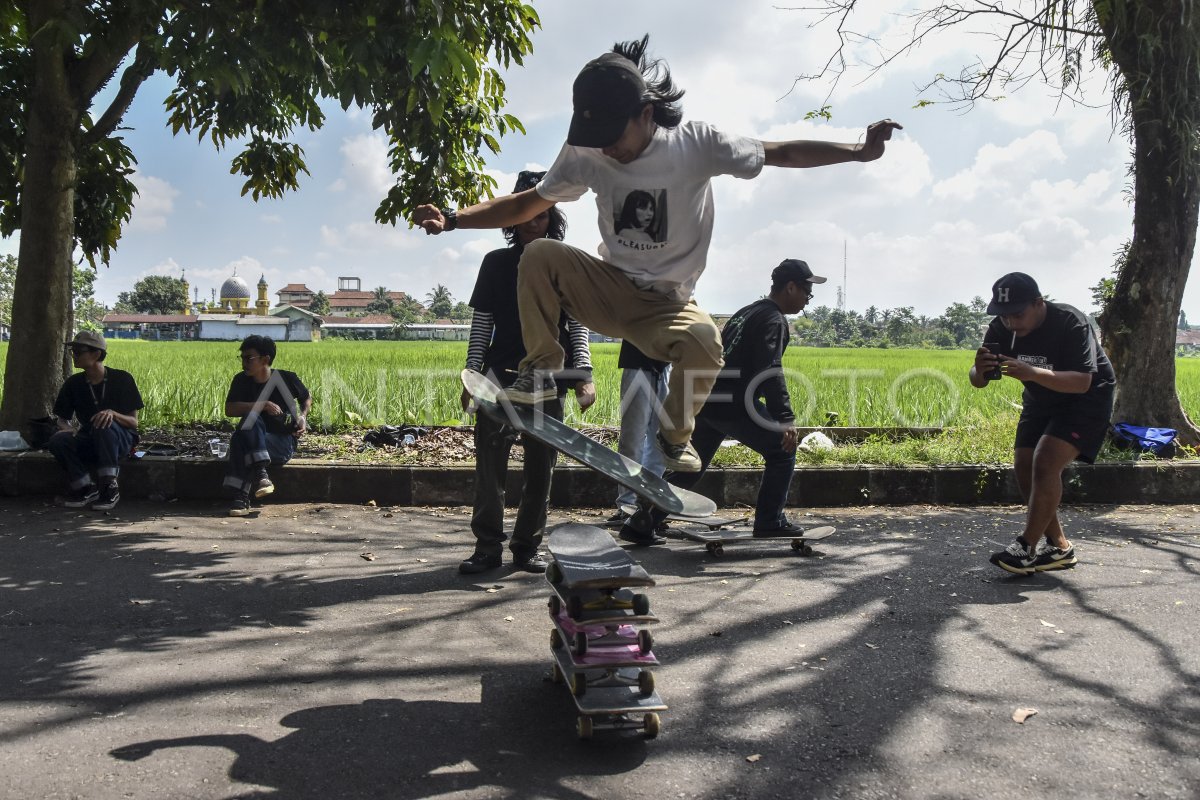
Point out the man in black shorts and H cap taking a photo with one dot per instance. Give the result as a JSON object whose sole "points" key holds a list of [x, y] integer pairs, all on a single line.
{"points": [[1052, 348]]}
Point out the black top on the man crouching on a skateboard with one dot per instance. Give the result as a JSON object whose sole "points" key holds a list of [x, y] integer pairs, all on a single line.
{"points": [[755, 340]]}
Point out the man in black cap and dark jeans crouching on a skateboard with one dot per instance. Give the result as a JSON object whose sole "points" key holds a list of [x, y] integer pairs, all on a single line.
{"points": [[749, 404]]}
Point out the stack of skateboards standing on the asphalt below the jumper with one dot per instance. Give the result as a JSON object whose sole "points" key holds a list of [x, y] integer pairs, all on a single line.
{"points": [[601, 646]]}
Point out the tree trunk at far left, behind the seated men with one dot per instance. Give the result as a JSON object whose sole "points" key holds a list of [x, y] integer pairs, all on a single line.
{"points": [[43, 292]]}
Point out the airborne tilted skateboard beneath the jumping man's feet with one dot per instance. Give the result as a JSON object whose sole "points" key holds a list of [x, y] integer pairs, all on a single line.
{"points": [[569, 442]]}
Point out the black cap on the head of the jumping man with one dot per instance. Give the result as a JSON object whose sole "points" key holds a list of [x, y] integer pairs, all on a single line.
{"points": [[608, 93]]}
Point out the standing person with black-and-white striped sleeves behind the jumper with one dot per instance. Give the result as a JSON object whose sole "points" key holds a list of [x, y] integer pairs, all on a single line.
{"points": [[496, 350]]}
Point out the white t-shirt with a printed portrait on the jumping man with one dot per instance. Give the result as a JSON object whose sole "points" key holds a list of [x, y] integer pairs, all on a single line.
{"points": [[656, 214]]}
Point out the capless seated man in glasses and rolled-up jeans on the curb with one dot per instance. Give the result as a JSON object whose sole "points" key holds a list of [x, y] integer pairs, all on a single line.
{"points": [[274, 410]]}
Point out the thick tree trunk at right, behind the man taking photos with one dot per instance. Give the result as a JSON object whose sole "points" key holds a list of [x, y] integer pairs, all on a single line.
{"points": [[1139, 323]]}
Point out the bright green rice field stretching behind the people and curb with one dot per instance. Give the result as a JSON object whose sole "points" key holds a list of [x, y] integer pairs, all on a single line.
{"points": [[365, 384]]}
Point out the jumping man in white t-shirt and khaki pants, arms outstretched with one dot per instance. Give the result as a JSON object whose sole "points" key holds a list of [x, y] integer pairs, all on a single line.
{"points": [[628, 139]]}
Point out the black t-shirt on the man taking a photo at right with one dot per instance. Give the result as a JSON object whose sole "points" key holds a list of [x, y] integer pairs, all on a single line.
{"points": [[1064, 342]]}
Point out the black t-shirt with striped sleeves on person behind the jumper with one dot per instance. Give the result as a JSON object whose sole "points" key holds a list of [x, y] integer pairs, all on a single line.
{"points": [[496, 293]]}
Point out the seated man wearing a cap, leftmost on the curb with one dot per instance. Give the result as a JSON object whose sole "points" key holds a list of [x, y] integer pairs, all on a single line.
{"points": [[106, 404]]}
